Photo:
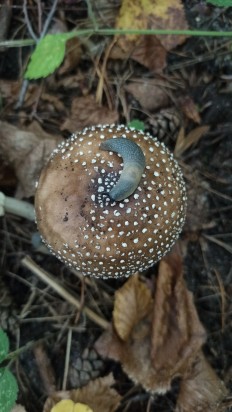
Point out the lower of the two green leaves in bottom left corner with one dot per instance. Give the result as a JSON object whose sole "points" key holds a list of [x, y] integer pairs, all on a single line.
{"points": [[8, 390]]}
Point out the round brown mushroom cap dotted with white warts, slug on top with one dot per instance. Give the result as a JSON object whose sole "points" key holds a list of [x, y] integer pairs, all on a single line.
{"points": [[90, 228]]}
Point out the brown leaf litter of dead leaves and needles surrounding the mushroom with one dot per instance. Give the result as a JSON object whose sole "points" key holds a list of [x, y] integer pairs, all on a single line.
{"points": [[188, 109]]}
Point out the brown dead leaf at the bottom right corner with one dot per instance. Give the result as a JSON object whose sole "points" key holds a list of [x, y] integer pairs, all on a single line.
{"points": [[200, 389]]}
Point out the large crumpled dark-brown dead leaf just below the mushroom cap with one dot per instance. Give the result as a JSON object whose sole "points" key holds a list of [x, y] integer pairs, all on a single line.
{"points": [[165, 343]]}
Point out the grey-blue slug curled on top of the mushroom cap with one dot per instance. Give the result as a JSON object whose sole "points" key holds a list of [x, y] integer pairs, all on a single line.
{"points": [[134, 164]]}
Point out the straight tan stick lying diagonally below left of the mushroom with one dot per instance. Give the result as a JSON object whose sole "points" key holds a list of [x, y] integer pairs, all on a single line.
{"points": [[54, 284]]}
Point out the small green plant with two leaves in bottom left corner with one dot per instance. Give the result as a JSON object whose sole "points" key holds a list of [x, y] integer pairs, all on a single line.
{"points": [[8, 384]]}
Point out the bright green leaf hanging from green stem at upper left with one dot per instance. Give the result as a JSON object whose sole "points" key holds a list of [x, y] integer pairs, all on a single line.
{"points": [[47, 56]]}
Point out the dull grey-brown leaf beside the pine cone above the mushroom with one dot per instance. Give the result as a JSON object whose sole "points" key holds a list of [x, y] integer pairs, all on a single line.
{"points": [[149, 94]]}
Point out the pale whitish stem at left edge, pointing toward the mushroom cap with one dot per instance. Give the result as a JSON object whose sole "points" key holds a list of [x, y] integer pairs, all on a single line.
{"points": [[16, 207]]}
